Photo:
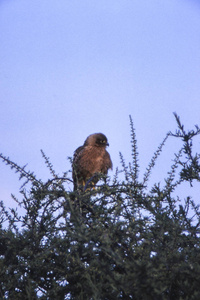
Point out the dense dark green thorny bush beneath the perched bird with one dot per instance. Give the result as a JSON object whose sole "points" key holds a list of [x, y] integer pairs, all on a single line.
{"points": [[123, 240]]}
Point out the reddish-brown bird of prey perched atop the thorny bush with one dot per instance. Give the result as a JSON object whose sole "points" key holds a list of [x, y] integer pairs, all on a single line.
{"points": [[91, 160]]}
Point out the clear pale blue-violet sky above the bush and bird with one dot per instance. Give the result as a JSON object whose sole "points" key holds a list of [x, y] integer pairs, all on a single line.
{"points": [[72, 68]]}
